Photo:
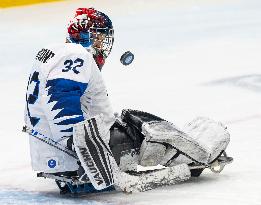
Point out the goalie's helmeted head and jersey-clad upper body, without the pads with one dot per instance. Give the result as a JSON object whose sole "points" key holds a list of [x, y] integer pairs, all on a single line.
{"points": [[65, 87]]}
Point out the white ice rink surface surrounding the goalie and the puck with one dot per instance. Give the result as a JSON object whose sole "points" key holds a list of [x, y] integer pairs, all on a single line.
{"points": [[192, 58]]}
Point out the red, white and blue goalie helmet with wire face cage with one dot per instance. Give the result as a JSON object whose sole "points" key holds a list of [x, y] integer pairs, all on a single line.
{"points": [[94, 31]]}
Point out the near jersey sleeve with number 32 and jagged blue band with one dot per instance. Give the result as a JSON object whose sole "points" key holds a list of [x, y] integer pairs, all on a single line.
{"points": [[66, 82]]}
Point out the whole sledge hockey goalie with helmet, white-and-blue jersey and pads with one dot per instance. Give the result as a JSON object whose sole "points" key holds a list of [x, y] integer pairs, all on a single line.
{"points": [[75, 137]]}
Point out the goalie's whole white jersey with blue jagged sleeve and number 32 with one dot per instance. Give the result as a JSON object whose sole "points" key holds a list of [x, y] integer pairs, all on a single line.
{"points": [[65, 87]]}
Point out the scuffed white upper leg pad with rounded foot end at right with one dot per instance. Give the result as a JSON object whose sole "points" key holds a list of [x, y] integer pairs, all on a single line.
{"points": [[202, 140]]}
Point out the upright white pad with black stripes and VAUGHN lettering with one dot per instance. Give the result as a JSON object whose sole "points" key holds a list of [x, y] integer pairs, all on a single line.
{"points": [[93, 152]]}
